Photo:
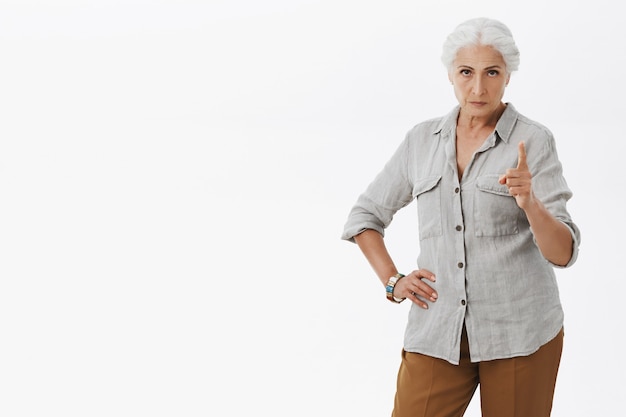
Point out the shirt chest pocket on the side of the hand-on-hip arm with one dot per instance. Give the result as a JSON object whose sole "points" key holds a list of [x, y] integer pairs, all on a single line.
{"points": [[428, 194]]}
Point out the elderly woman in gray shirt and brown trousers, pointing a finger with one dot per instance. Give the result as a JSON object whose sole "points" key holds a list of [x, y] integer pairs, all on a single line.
{"points": [[493, 225]]}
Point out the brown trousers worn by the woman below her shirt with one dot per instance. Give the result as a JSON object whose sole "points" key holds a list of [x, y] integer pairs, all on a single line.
{"points": [[517, 387]]}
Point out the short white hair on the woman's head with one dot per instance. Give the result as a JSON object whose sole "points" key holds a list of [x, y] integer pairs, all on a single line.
{"points": [[481, 31]]}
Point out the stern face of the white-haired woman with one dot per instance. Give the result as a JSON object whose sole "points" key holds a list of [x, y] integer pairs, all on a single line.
{"points": [[479, 77]]}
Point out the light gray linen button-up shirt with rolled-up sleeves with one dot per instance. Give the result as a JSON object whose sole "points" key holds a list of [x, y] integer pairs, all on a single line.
{"points": [[474, 237]]}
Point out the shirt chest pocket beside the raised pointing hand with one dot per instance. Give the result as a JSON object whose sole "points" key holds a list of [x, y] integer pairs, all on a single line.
{"points": [[496, 212]]}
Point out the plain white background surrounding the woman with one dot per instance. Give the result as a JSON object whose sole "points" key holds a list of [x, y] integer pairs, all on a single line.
{"points": [[175, 175]]}
